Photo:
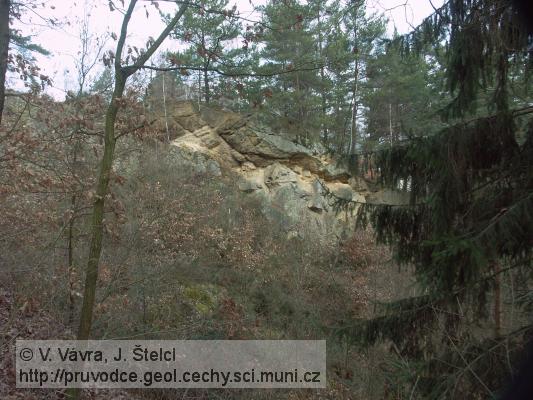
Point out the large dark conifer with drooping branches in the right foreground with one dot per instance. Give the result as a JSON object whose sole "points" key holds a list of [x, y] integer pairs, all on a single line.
{"points": [[468, 219]]}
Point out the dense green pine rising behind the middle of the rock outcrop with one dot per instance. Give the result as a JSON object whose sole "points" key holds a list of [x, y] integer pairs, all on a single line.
{"points": [[289, 46]]}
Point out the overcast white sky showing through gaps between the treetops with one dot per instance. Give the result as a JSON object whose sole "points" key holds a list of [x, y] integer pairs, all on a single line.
{"points": [[64, 44]]}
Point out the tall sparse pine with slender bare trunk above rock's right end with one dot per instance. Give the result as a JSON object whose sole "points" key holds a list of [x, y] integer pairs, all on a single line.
{"points": [[351, 44]]}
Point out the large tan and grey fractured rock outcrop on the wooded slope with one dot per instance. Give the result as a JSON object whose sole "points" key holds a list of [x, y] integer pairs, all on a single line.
{"points": [[288, 179]]}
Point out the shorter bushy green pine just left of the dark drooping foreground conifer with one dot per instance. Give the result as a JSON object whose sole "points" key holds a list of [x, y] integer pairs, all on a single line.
{"points": [[402, 99]]}
